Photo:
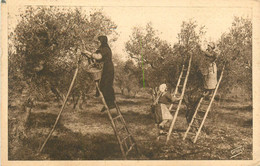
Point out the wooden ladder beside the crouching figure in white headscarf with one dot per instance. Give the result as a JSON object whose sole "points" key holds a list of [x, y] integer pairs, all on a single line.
{"points": [[181, 85]]}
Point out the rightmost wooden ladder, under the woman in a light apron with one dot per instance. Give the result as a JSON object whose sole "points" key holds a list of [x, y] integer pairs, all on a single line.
{"points": [[201, 113]]}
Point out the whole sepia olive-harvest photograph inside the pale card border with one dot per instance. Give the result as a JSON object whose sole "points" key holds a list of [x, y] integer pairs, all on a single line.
{"points": [[129, 82]]}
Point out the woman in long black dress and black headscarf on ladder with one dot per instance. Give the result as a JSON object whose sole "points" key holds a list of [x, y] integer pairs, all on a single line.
{"points": [[107, 78]]}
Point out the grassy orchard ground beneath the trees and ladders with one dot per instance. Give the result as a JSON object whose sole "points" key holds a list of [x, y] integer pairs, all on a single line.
{"points": [[87, 134]]}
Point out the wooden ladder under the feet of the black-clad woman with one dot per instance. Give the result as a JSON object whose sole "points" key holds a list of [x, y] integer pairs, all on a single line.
{"points": [[125, 139]]}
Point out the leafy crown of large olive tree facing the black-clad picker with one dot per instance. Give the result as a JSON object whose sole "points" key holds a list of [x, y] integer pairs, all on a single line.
{"points": [[44, 45]]}
